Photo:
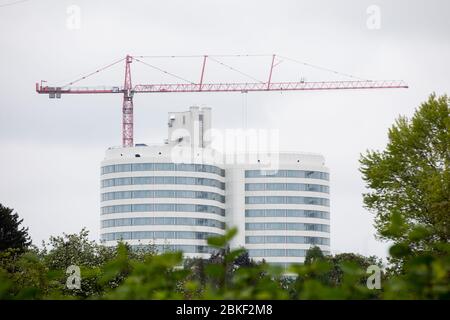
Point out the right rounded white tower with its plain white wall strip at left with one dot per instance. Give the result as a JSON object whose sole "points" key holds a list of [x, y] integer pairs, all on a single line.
{"points": [[283, 212]]}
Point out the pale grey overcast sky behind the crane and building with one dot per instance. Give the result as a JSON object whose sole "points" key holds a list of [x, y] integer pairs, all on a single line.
{"points": [[51, 149]]}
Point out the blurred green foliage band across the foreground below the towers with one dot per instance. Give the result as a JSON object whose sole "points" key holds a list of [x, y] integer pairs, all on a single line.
{"points": [[122, 273]]}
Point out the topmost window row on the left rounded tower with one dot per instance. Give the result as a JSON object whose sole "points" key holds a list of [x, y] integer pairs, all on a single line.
{"points": [[131, 167]]}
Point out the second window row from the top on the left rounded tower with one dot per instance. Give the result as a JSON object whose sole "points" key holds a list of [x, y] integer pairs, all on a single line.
{"points": [[163, 180]]}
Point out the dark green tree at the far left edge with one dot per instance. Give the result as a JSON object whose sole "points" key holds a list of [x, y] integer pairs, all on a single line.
{"points": [[12, 235]]}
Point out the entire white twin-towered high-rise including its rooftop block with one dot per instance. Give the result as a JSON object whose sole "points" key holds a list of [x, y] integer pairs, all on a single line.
{"points": [[175, 195]]}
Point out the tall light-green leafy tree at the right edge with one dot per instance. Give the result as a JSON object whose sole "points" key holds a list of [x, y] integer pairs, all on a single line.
{"points": [[410, 179]]}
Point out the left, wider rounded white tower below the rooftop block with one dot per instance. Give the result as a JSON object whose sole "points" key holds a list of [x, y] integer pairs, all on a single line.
{"points": [[148, 199]]}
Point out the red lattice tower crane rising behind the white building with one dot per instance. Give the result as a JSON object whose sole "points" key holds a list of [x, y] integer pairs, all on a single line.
{"points": [[128, 90]]}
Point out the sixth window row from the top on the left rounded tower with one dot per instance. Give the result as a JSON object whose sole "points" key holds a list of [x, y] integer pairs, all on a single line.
{"points": [[156, 235]]}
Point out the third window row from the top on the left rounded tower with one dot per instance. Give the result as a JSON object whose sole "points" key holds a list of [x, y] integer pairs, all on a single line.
{"points": [[137, 194]]}
